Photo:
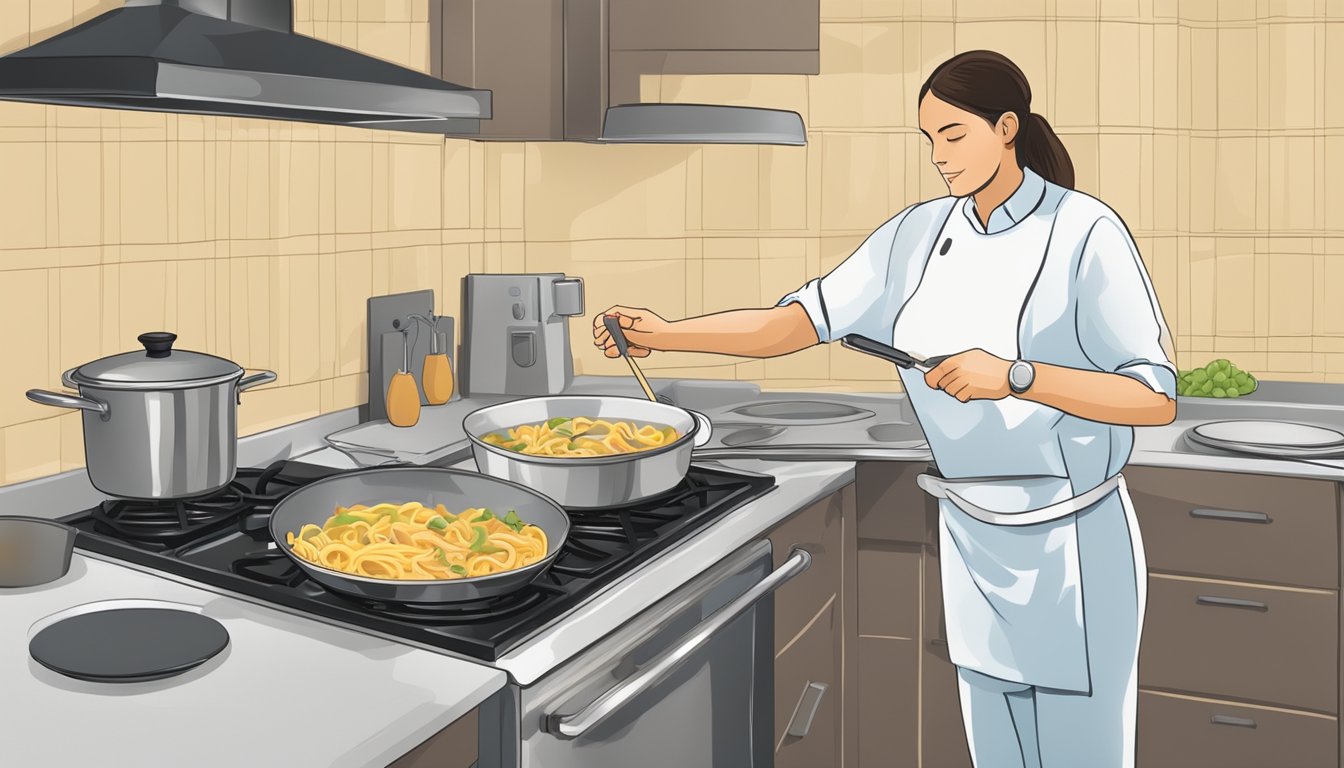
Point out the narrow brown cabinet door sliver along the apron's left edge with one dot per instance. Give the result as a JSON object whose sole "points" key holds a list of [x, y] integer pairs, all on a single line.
{"points": [[943, 739]]}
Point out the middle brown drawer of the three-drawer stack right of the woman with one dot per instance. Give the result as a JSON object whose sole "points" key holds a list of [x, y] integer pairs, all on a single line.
{"points": [[1269, 646]]}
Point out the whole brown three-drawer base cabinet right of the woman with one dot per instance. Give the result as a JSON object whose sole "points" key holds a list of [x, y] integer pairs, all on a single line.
{"points": [[1240, 664]]}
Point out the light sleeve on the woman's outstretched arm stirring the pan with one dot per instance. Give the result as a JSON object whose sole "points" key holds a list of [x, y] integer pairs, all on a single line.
{"points": [[850, 298]]}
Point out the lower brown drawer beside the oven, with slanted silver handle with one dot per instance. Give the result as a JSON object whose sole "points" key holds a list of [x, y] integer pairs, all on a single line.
{"points": [[815, 658]]}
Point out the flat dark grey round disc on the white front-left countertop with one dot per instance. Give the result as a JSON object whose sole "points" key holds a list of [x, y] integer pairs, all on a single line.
{"points": [[128, 645]]}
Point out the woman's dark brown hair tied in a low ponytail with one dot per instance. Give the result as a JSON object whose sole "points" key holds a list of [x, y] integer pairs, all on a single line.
{"points": [[990, 85]]}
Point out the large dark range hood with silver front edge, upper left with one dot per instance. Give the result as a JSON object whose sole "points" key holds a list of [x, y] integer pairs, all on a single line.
{"points": [[232, 59]]}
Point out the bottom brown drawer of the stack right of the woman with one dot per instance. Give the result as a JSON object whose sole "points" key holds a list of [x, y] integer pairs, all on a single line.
{"points": [[1178, 732]]}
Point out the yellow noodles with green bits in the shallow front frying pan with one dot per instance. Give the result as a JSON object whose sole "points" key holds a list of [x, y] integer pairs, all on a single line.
{"points": [[416, 543]]}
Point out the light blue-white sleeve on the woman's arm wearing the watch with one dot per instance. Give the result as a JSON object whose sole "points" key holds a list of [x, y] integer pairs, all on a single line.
{"points": [[1119, 319]]}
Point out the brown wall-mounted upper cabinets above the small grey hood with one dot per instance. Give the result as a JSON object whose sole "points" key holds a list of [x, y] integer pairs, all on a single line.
{"points": [[554, 67]]}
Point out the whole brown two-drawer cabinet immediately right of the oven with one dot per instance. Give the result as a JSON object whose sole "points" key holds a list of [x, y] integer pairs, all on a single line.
{"points": [[810, 637]]}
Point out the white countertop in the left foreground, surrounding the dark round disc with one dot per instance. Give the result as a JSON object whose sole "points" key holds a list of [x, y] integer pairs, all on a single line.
{"points": [[286, 692]]}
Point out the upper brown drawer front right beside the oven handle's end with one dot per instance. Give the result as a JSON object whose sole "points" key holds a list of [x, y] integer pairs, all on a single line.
{"points": [[819, 531]]}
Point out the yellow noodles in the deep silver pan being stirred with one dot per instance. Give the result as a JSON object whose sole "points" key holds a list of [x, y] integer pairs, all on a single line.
{"points": [[581, 436]]}
